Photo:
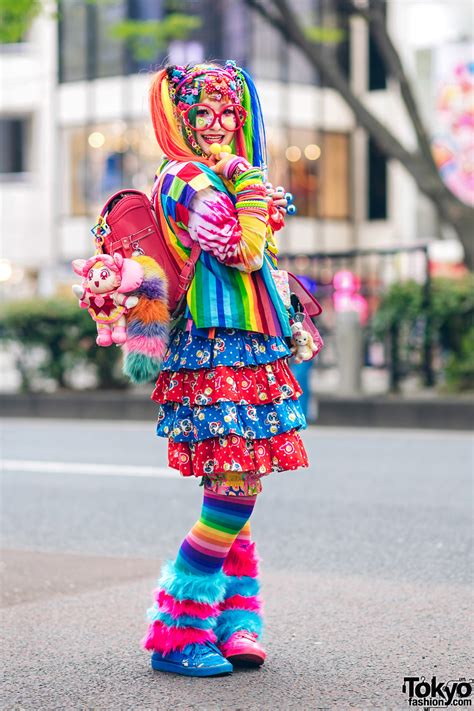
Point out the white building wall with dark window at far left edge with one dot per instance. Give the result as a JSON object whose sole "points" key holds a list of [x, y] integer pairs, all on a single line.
{"points": [[28, 156]]}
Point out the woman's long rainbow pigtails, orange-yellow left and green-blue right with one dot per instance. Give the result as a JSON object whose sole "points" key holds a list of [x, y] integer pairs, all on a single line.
{"points": [[249, 140]]}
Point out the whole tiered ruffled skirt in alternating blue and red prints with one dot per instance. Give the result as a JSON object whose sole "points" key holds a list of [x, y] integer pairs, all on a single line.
{"points": [[228, 405]]}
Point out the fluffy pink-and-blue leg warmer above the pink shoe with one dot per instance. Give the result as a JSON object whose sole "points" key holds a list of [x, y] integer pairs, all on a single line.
{"points": [[241, 609]]}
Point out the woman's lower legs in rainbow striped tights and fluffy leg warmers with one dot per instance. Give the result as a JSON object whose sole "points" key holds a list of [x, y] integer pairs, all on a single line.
{"points": [[211, 590]]}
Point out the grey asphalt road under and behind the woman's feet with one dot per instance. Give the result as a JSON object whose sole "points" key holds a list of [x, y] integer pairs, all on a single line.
{"points": [[367, 569]]}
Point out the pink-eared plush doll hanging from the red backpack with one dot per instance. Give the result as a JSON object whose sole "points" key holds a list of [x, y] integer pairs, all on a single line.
{"points": [[106, 281]]}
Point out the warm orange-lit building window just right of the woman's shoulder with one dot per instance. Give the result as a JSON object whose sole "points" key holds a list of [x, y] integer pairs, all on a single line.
{"points": [[314, 166]]}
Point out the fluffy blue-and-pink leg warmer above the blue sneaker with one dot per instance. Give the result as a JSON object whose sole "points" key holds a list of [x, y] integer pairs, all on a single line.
{"points": [[185, 610]]}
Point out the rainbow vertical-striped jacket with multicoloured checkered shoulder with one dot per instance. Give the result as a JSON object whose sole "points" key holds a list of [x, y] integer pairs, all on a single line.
{"points": [[219, 296]]}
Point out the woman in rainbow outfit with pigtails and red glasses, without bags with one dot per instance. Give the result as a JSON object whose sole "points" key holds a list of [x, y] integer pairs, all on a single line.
{"points": [[227, 399]]}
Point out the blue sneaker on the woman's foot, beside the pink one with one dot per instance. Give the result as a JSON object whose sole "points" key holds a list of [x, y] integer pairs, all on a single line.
{"points": [[194, 660]]}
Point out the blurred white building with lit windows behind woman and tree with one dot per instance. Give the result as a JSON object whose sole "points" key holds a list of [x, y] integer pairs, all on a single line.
{"points": [[75, 128]]}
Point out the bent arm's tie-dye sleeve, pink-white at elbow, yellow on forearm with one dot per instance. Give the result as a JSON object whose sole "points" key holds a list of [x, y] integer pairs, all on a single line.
{"points": [[234, 234]]}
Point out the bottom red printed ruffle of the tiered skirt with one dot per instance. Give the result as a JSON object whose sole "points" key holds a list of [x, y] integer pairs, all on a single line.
{"points": [[283, 452]]}
